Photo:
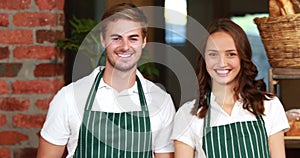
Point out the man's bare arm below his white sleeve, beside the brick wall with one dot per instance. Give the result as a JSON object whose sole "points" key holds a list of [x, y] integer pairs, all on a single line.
{"points": [[46, 149]]}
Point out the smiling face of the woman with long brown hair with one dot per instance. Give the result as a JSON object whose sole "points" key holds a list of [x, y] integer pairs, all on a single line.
{"points": [[222, 60]]}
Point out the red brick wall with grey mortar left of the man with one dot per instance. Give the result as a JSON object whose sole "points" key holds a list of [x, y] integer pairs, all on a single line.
{"points": [[31, 71]]}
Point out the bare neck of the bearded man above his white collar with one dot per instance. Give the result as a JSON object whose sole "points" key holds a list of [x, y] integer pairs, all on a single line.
{"points": [[119, 80]]}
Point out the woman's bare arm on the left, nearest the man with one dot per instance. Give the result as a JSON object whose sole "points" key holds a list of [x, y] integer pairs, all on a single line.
{"points": [[183, 150]]}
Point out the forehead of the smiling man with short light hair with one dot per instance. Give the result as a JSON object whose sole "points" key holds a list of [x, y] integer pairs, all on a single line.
{"points": [[123, 27]]}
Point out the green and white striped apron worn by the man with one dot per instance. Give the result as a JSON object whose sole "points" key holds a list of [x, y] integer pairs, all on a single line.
{"points": [[114, 135]]}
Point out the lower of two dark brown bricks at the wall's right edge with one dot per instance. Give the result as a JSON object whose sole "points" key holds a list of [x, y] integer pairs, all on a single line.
{"points": [[49, 70]]}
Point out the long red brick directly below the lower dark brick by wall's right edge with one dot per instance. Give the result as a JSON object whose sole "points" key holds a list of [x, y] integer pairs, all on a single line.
{"points": [[35, 87]]}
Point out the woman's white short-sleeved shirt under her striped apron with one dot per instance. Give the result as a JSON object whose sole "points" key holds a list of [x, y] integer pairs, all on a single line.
{"points": [[189, 128]]}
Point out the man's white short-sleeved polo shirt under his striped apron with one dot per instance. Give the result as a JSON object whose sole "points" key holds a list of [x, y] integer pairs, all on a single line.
{"points": [[66, 111]]}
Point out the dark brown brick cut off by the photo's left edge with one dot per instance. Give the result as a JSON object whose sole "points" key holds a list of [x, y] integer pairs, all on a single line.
{"points": [[10, 69]]}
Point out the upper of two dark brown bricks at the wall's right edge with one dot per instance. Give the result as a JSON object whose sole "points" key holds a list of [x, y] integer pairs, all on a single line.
{"points": [[48, 36]]}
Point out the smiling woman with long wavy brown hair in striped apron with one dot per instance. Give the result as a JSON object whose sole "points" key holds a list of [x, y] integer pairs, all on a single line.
{"points": [[234, 115]]}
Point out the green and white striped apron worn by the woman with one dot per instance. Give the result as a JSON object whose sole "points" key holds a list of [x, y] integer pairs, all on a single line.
{"points": [[236, 140]]}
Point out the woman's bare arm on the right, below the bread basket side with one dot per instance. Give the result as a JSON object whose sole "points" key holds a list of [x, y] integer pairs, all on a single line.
{"points": [[276, 145]]}
